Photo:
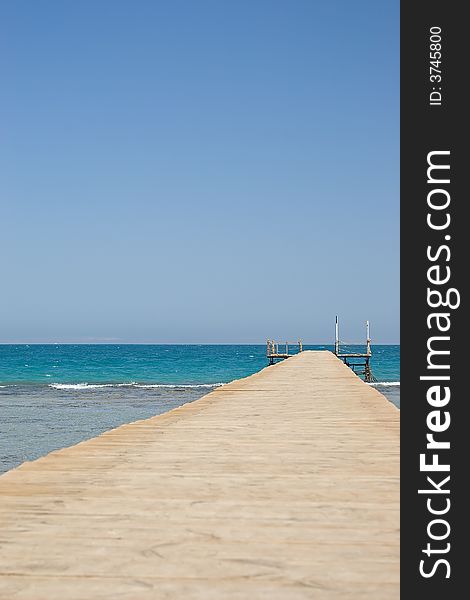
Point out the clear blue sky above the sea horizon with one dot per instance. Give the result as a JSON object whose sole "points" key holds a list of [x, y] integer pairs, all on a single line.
{"points": [[198, 171]]}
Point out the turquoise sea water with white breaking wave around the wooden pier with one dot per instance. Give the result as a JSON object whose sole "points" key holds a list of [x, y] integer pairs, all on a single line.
{"points": [[52, 396]]}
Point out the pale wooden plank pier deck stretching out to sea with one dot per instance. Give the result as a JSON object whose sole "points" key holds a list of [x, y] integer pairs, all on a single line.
{"points": [[283, 485]]}
